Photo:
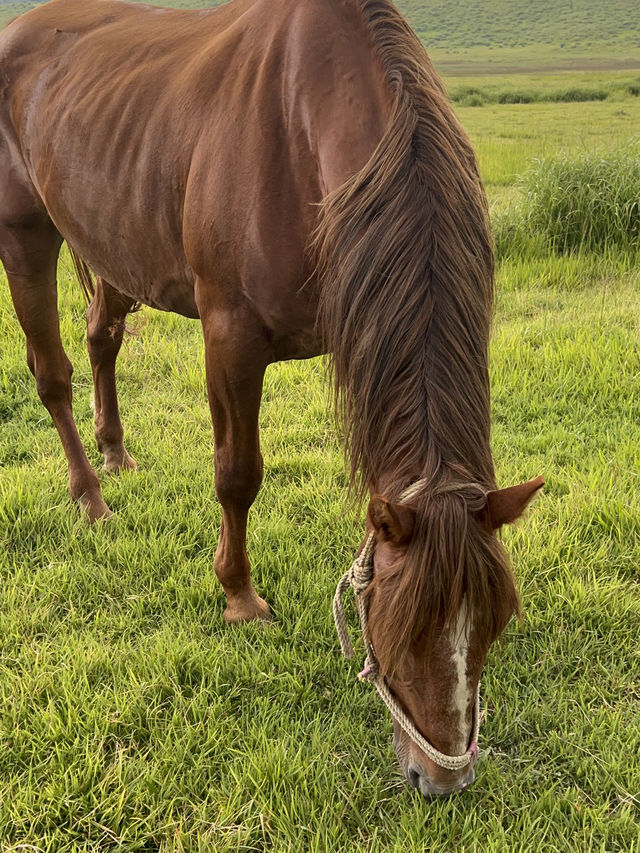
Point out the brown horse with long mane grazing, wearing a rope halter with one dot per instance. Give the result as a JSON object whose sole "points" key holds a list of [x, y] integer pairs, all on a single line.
{"points": [[290, 173]]}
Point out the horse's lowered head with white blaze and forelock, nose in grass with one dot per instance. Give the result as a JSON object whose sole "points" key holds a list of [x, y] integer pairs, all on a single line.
{"points": [[442, 592]]}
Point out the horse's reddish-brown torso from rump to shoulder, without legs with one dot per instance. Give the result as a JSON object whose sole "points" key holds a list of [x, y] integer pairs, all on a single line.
{"points": [[159, 140]]}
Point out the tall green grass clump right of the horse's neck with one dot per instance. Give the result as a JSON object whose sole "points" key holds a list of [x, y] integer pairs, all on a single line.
{"points": [[571, 203]]}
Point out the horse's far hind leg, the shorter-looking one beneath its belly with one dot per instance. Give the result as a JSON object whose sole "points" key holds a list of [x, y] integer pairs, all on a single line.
{"points": [[105, 328]]}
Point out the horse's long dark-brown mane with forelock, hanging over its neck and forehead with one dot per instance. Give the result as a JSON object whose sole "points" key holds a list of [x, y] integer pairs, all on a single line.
{"points": [[406, 265]]}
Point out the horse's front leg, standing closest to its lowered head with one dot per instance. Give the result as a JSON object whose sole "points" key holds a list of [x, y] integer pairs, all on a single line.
{"points": [[236, 359]]}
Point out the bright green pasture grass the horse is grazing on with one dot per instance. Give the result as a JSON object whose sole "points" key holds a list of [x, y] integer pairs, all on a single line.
{"points": [[132, 719]]}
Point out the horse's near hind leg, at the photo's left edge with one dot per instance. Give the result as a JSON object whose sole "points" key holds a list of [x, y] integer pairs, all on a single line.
{"points": [[30, 254]]}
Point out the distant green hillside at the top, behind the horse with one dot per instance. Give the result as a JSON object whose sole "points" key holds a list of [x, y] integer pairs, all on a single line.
{"points": [[519, 33]]}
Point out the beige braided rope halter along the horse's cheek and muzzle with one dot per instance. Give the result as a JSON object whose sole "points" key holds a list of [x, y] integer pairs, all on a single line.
{"points": [[358, 577]]}
